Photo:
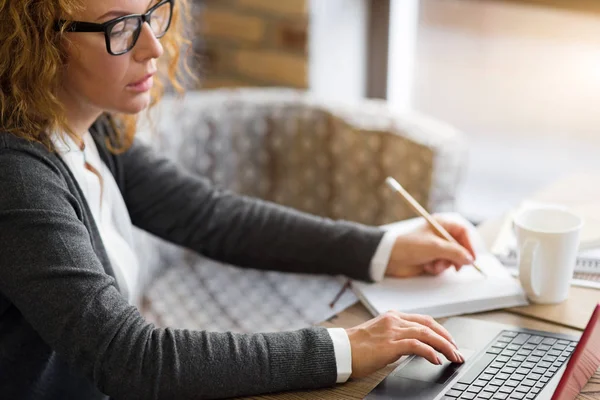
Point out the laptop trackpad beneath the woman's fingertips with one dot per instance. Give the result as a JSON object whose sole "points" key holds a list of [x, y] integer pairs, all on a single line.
{"points": [[422, 370]]}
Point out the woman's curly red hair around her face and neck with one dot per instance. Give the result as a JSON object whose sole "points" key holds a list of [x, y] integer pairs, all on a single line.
{"points": [[32, 54]]}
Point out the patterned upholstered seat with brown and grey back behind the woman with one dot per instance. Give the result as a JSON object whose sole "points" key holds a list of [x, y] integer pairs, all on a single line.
{"points": [[289, 147]]}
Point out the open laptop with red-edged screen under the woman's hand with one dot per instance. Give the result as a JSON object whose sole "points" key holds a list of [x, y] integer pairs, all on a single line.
{"points": [[502, 362]]}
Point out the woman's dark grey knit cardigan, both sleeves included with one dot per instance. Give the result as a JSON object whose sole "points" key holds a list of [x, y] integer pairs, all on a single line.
{"points": [[67, 333]]}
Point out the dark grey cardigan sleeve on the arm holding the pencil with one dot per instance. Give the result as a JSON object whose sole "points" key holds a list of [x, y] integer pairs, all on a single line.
{"points": [[188, 210]]}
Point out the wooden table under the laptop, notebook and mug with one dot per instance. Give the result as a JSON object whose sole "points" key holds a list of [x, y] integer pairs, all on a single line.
{"points": [[568, 317]]}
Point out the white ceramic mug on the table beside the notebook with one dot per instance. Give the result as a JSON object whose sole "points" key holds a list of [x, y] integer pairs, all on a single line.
{"points": [[548, 242]]}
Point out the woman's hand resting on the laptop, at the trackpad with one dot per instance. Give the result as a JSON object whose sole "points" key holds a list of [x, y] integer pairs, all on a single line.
{"points": [[384, 339]]}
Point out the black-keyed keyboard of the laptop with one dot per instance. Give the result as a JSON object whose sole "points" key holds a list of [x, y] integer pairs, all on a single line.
{"points": [[516, 366]]}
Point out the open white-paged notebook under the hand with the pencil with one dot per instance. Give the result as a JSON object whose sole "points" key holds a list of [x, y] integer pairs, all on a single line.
{"points": [[450, 293]]}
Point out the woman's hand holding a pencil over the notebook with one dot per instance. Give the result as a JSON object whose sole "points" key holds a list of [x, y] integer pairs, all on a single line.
{"points": [[424, 252]]}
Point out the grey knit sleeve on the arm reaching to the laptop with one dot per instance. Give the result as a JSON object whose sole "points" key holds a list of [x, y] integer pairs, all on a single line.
{"points": [[50, 272]]}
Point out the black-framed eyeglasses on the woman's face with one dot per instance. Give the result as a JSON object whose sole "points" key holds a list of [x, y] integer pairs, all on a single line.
{"points": [[122, 33]]}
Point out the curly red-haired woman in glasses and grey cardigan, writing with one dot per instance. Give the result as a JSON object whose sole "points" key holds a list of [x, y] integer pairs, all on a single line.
{"points": [[74, 181]]}
